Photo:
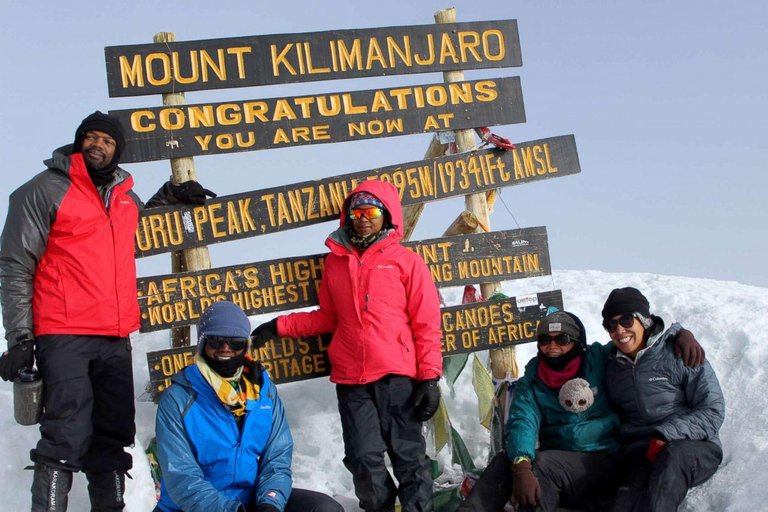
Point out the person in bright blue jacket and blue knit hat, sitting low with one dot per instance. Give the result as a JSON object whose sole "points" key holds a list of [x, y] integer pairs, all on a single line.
{"points": [[223, 440]]}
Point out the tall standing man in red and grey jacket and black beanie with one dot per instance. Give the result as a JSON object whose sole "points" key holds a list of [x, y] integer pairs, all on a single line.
{"points": [[68, 293]]}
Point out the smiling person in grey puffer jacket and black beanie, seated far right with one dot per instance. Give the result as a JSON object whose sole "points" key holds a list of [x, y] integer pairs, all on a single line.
{"points": [[670, 414]]}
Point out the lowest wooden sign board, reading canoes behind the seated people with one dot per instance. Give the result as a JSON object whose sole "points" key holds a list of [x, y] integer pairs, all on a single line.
{"points": [[466, 328]]}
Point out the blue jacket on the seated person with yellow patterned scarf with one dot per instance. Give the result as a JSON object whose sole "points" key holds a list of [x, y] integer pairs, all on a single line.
{"points": [[208, 463]]}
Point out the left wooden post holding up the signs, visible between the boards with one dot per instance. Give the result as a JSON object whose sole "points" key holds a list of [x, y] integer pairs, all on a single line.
{"points": [[182, 169]]}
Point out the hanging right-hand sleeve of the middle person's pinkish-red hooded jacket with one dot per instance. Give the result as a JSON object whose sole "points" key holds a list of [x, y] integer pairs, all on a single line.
{"points": [[426, 321]]}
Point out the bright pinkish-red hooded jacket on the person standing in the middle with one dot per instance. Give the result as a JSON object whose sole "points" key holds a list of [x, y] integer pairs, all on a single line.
{"points": [[382, 306]]}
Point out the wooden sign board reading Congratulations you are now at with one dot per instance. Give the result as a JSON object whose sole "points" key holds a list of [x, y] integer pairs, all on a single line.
{"points": [[206, 129]]}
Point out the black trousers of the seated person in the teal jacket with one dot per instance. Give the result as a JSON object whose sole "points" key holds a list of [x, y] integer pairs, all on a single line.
{"points": [[580, 480]]}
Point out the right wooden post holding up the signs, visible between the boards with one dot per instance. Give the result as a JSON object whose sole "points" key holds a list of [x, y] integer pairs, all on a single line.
{"points": [[502, 359]]}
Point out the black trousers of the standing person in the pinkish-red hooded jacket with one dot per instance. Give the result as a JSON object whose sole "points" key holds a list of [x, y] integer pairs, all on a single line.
{"points": [[380, 417]]}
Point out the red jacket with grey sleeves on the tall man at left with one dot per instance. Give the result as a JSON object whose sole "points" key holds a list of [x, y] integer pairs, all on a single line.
{"points": [[67, 259]]}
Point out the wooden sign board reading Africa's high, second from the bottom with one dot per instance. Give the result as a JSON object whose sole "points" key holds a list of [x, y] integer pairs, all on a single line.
{"points": [[288, 283]]}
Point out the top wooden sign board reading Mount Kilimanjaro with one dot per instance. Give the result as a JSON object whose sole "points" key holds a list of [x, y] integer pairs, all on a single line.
{"points": [[290, 58]]}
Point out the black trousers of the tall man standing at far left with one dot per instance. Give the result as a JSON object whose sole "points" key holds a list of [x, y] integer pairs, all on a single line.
{"points": [[89, 411]]}
